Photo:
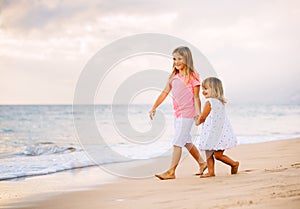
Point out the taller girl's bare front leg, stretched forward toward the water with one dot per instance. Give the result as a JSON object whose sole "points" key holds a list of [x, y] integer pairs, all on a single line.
{"points": [[170, 174]]}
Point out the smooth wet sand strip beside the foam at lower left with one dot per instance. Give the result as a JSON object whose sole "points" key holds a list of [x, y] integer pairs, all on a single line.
{"points": [[37, 188]]}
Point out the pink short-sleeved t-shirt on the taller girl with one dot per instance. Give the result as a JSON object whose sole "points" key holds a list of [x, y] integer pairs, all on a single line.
{"points": [[183, 96]]}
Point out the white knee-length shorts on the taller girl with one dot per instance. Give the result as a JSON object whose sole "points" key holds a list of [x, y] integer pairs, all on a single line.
{"points": [[182, 133]]}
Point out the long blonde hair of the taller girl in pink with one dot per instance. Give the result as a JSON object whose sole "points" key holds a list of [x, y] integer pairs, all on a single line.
{"points": [[189, 70]]}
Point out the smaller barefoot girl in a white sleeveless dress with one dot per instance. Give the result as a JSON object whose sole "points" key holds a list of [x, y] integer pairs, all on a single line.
{"points": [[216, 134]]}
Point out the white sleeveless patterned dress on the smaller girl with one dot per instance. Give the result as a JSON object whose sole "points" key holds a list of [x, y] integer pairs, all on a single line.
{"points": [[216, 133]]}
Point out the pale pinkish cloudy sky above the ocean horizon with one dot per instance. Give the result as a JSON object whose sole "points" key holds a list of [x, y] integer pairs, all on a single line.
{"points": [[253, 45]]}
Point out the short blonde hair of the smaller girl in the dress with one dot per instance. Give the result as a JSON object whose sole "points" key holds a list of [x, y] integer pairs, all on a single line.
{"points": [[216, 88]]}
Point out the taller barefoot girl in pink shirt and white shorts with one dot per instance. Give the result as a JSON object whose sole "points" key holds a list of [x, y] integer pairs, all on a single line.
{"points": [[184, 85]]}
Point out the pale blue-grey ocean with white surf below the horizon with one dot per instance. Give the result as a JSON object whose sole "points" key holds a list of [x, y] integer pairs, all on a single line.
{"points": [[42, 139]]}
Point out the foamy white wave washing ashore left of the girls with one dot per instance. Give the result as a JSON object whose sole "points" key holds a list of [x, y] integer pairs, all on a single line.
{"points": [[47, 158]]}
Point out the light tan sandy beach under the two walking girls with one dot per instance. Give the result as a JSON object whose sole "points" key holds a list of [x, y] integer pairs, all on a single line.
{"points": [[269, 177]]}
